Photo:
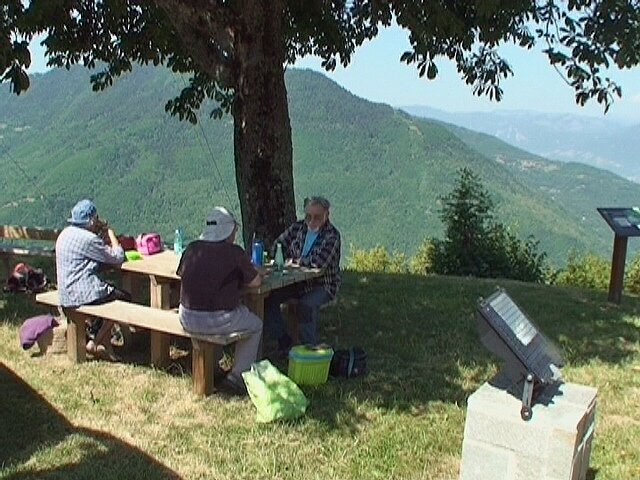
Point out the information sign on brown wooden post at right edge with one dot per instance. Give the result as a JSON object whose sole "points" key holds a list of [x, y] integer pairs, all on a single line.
{"points": [[625, 223]]}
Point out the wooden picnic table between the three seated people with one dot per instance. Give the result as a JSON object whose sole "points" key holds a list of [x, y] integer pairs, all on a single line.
{"points": [[161, 271]]}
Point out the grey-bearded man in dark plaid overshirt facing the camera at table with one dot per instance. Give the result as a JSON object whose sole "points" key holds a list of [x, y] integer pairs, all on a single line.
{"points": [[312, 242]]}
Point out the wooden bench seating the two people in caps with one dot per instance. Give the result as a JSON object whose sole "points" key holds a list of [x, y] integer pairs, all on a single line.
{"points": [[161, 323]]}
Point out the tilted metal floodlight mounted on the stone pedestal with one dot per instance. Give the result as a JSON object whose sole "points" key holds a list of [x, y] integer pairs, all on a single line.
{"points": [[531, 359]]}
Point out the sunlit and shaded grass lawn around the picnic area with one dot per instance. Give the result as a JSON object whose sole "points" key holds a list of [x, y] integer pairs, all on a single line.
{"points": [[405, 420]]}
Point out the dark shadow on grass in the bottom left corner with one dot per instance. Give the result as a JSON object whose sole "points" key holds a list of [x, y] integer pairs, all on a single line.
{"points": [[32, 427]]}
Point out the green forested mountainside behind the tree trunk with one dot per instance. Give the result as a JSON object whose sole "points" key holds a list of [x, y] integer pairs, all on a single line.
{"points": [[382, 169]]}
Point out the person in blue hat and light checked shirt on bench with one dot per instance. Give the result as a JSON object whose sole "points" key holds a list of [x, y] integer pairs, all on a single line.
{"points": [[81, 250]]}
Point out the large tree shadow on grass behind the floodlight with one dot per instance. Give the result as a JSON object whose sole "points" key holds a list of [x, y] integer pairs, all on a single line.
{"points": [[423, 347]]}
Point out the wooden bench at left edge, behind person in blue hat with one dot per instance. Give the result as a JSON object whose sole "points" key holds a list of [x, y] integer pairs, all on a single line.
{"points": [[13, 233]]}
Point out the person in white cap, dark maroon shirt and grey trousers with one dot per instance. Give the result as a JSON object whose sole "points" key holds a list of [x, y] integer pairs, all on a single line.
{"points": [[213, 271]]}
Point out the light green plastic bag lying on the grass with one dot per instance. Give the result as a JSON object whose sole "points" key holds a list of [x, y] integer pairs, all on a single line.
{"points": [[274, 394]]}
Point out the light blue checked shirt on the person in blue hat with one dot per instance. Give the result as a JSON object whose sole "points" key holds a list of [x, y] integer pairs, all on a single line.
{"points": [[79, 254]]}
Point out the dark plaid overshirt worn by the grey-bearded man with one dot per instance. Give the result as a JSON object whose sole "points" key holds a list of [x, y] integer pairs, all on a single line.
{"points": [[325, 253]]}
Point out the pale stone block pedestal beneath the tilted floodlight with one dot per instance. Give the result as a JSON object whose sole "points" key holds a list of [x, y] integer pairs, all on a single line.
{"points": [[554, 445]]}
